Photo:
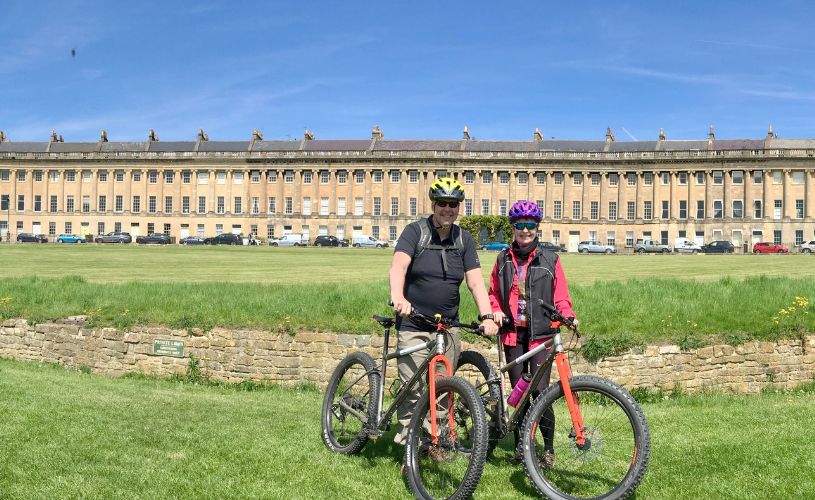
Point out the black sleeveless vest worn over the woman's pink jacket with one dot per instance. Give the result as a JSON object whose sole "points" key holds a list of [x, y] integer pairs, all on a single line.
{"points": [[540, 284]]}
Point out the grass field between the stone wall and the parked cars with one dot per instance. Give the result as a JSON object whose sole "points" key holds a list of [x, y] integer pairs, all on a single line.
{"points": [[625, 300]]}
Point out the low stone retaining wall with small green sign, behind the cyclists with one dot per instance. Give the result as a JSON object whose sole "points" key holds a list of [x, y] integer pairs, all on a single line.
{"points": [[309, 357]]}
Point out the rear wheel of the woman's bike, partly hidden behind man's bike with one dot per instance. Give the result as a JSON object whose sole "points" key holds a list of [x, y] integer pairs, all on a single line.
{"points": [[475, 369]]}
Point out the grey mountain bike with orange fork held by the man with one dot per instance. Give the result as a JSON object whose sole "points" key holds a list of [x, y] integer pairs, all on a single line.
{"points": [[447, 436]]}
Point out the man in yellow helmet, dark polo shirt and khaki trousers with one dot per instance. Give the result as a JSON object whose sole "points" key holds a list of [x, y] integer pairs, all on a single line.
{"points": [[432, 257]]}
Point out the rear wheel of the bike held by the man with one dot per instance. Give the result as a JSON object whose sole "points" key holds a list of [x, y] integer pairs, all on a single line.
{"points": [[349, 407]]}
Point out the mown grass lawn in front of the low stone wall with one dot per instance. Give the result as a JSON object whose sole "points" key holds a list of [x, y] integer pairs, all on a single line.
{"points": [[66, 434]]}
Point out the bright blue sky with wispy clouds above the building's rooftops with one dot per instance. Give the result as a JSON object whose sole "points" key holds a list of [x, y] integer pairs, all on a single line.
{"points": [[418, 69]]}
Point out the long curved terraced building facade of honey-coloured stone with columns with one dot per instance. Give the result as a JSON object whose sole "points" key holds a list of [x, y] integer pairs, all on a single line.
{"points": [[743, 190]]}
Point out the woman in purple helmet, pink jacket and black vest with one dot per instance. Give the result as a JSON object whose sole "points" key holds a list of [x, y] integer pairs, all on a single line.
{"points": [[522, 275]]}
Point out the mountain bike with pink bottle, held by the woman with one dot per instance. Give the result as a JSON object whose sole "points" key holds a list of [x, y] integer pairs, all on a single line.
{"points": [[601, 442]]}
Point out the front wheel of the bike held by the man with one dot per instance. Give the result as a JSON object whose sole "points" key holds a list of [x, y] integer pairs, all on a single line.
{"points": [[451, 467]]}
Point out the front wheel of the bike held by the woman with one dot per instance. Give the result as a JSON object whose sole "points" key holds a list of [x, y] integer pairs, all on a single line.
{"points": [[612, 462]]}
